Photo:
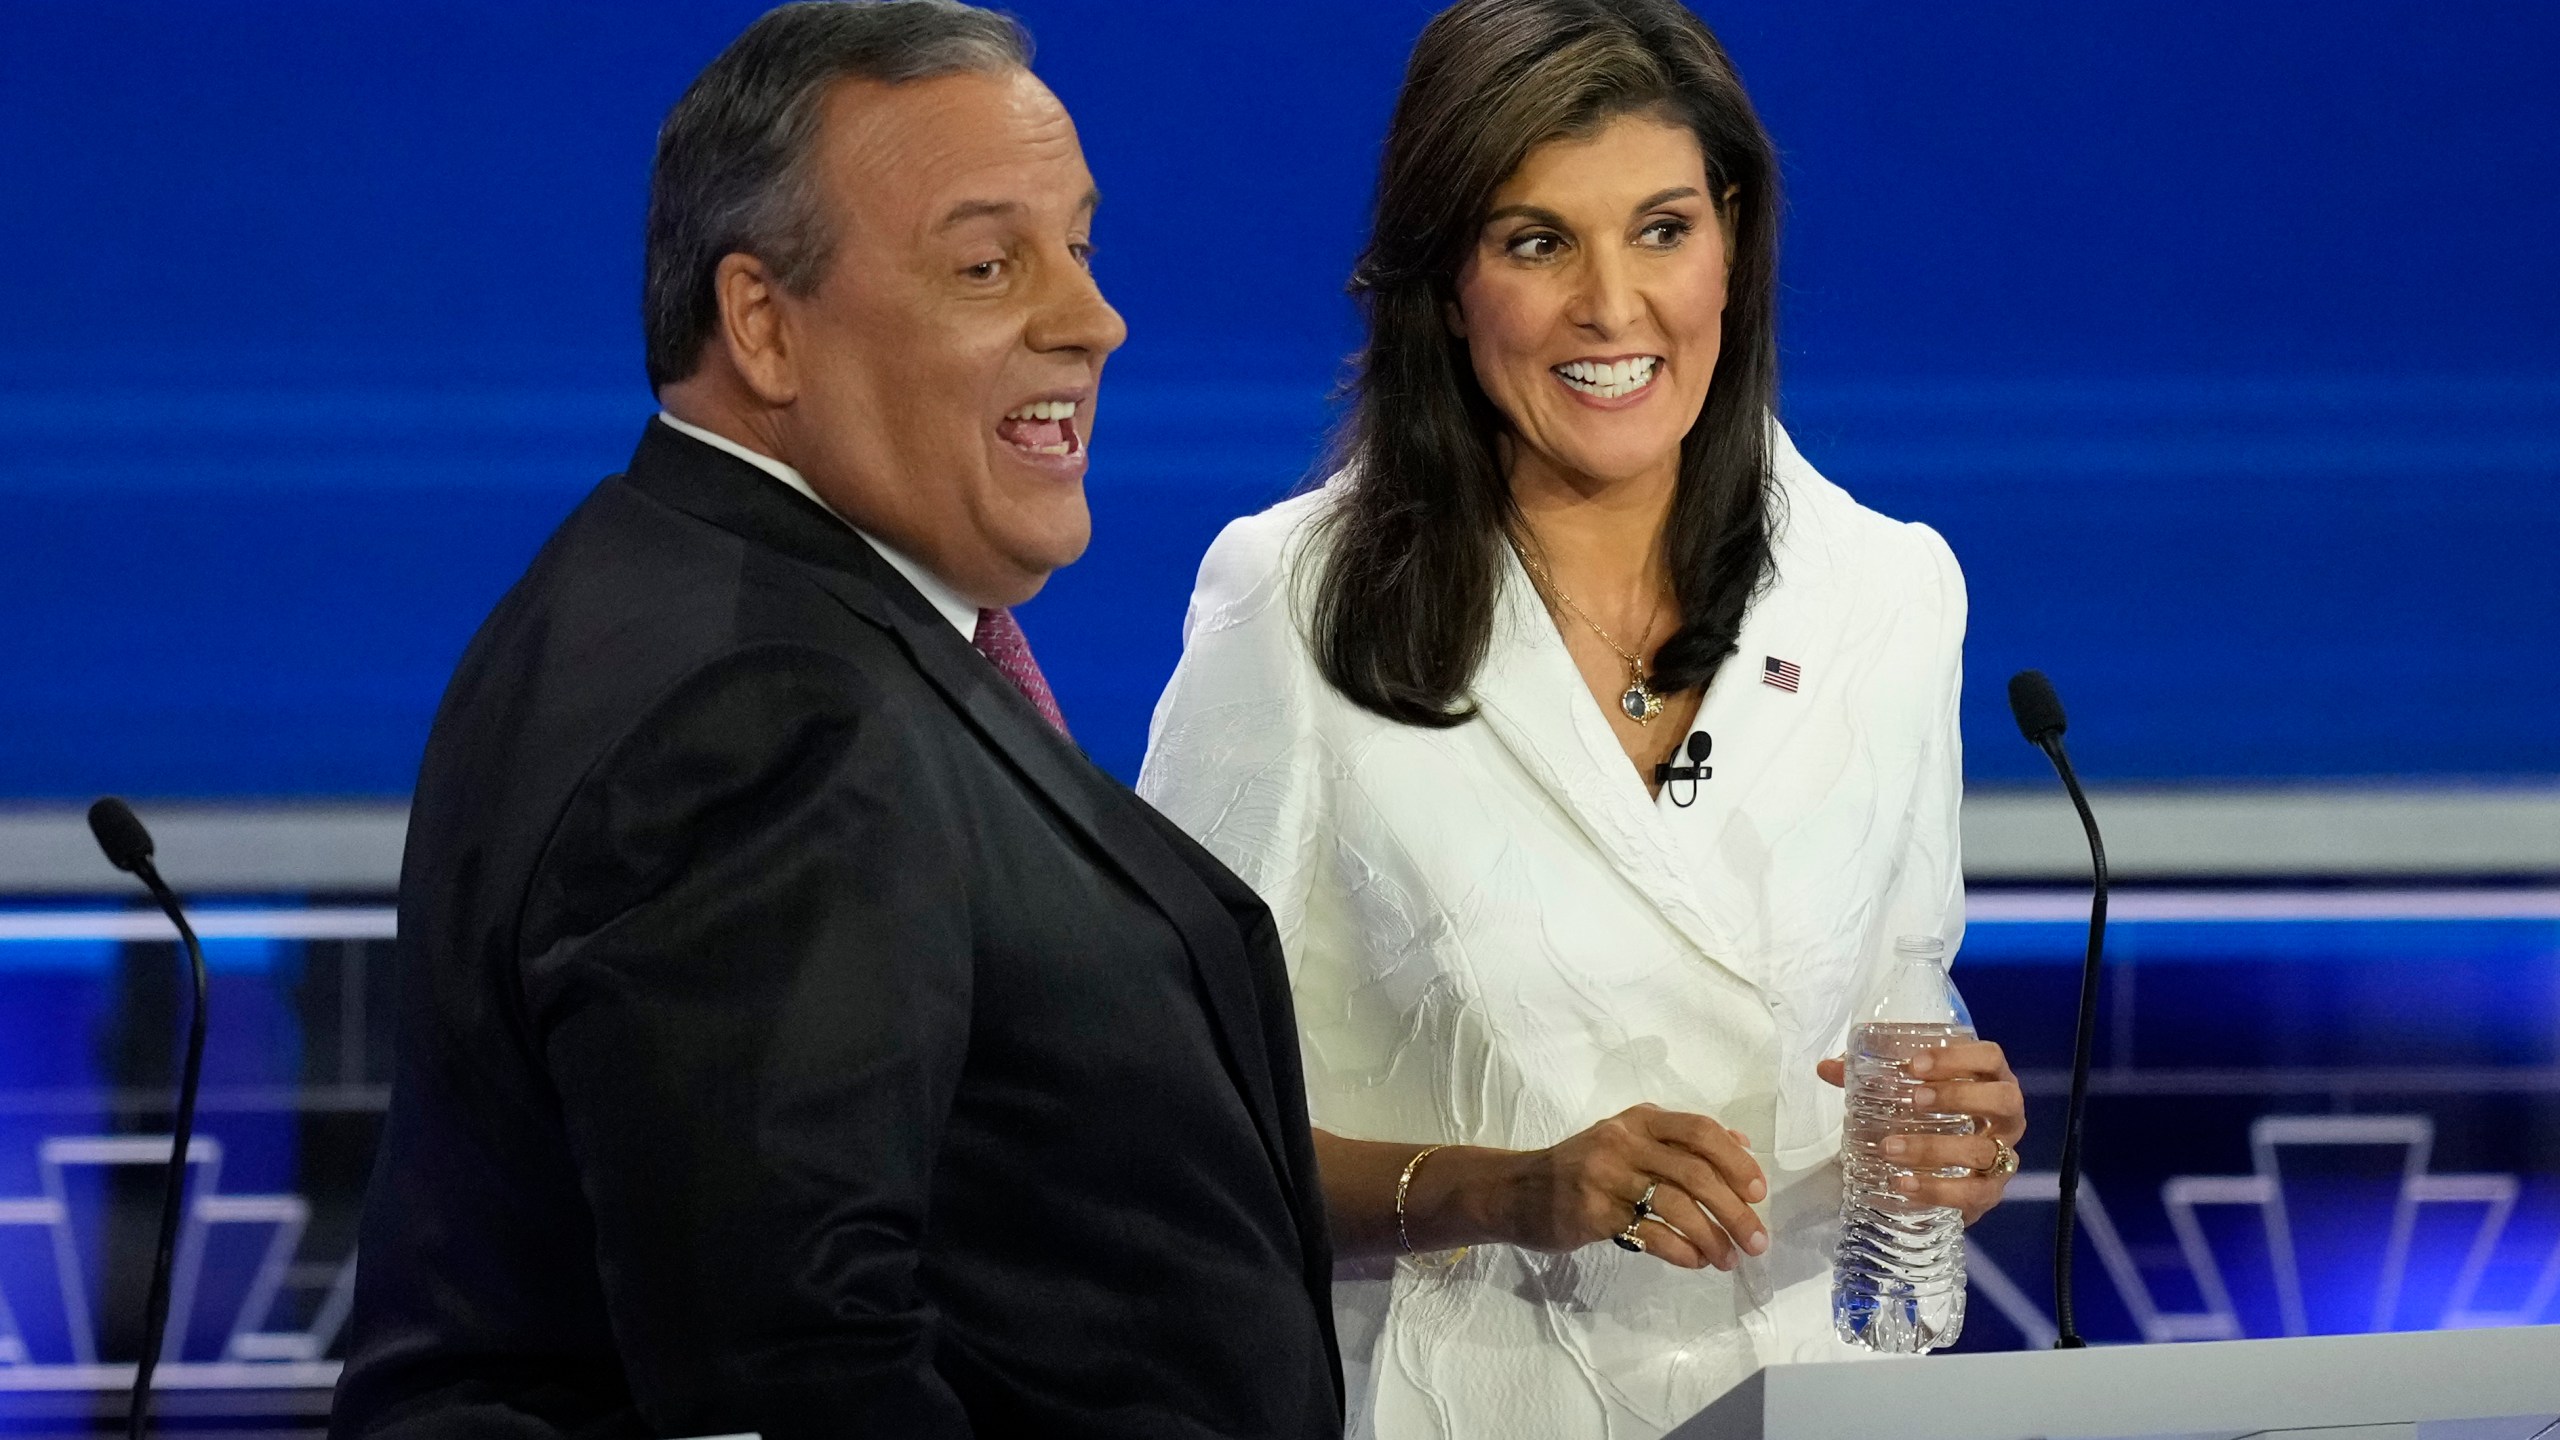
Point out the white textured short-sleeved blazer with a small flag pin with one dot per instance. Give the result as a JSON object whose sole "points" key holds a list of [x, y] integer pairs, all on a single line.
{"points": [[1496, 937]]}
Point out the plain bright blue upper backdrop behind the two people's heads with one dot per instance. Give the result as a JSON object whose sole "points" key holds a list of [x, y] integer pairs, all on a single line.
{"points": [[2221, 342]]}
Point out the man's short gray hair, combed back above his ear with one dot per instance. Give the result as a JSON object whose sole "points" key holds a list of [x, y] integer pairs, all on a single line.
{"points": [[736, 152]]}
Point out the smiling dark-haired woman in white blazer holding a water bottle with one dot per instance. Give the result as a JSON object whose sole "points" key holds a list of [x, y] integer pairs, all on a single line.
{"points": [[1568, 1029]]}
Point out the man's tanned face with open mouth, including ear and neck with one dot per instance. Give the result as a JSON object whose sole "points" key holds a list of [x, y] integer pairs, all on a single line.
{"points": [[948, 363]]}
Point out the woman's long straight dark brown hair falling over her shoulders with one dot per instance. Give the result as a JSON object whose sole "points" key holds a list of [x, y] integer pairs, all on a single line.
{"points": [[1414, 550]]}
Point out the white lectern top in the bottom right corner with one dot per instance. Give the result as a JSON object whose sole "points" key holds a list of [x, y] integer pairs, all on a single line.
{"points": [[2446, 1385]]}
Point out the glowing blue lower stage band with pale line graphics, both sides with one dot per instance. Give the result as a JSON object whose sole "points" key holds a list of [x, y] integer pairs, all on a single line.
{"points": [[2300, 1126]]}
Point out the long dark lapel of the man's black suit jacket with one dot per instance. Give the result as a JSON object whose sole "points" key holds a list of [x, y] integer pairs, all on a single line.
{"points": [[739, 498]]}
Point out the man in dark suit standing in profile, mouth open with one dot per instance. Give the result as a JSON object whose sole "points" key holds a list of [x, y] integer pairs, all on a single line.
{"points": [[800, 1036]]}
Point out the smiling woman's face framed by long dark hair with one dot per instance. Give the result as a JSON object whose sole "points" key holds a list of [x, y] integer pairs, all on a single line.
{"points": [[1594, 299]]}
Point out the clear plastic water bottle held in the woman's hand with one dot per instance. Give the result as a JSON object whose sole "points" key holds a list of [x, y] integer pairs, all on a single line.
{"points": [[1898, 1280]]}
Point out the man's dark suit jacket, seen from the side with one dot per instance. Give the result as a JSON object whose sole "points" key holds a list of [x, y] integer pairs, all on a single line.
{"points": [[800, 1036]]}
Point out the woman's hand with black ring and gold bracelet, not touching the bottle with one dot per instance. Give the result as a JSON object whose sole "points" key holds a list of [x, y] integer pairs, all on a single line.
{"points": [[1586, 1190]]}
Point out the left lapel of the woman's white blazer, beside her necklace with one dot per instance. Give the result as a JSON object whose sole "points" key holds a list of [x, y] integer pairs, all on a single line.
{"points": [[1535, 701]]}
